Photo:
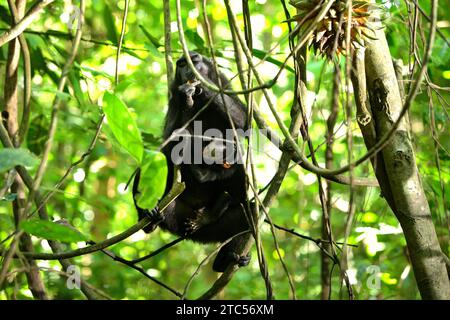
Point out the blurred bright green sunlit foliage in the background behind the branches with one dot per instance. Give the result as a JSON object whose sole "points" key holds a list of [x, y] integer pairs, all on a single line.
{"points": [[96, 201]]}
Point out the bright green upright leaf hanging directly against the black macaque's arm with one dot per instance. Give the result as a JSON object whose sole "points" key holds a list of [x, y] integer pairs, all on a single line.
{"points": [[152, 181]]}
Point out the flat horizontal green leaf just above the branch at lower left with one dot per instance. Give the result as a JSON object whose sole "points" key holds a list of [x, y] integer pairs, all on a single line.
{"points": [[52, 231]]}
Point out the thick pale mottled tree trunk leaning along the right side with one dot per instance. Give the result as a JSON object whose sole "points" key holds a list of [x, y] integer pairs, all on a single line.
{"points": [[409, 202]]}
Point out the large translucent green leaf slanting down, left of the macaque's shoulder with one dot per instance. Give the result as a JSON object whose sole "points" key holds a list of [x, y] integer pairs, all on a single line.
{"points": [[123, 125]]}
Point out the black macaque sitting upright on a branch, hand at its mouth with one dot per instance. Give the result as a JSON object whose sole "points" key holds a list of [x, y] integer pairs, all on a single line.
{"points": [[213, 207]]}
